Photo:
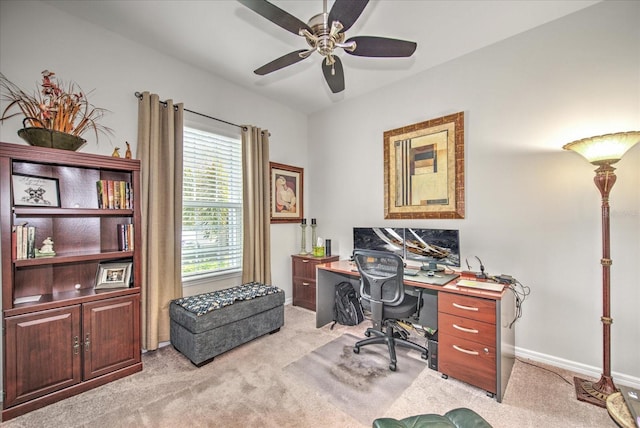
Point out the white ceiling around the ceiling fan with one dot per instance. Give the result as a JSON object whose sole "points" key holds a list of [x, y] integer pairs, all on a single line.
{"points": [[226, 39]]}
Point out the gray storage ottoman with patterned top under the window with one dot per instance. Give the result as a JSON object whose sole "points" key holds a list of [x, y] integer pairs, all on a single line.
{"points": [[209, 324]]}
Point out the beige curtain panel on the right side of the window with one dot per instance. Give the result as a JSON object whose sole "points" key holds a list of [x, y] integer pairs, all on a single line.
{"points": [[256, 246]]}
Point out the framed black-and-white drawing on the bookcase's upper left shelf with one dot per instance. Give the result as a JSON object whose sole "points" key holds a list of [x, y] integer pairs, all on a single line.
{"points": [[34, 191]]}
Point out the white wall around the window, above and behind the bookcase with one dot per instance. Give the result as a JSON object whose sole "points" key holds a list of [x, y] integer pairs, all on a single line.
{"points": [[35, 36]]}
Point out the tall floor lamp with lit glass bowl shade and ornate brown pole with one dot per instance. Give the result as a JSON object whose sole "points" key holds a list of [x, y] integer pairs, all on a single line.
{"points": [[603, 151]]}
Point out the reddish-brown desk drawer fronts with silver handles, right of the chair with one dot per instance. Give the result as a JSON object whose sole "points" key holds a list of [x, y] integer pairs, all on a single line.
{"points": [[467, 340]]}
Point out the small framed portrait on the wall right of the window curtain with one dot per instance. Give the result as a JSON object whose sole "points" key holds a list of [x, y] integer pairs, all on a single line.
{"points": [[286, 193]]}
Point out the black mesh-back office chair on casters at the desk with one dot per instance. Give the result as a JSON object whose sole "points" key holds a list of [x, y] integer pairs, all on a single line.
{"points": [[382, 287]]}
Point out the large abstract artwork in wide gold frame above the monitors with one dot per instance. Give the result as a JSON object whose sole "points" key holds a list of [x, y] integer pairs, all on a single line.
{"points": [[424, 169]]}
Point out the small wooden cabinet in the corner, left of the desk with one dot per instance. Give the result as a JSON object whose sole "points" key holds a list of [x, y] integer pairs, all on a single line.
{"points": [[303, 269]]}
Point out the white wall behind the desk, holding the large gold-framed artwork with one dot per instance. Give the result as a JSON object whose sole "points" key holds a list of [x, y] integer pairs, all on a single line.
{"points": [[532, 210]]}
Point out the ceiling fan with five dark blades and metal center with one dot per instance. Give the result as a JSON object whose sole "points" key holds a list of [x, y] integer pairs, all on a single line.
{"points": [[324, 33]]}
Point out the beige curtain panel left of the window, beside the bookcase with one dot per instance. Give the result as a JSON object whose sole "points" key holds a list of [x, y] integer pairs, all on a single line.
{"points": [[160, 127]]}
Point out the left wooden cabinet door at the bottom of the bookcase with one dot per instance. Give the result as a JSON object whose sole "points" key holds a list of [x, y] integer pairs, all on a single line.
{"points": [[42, 352]]}
